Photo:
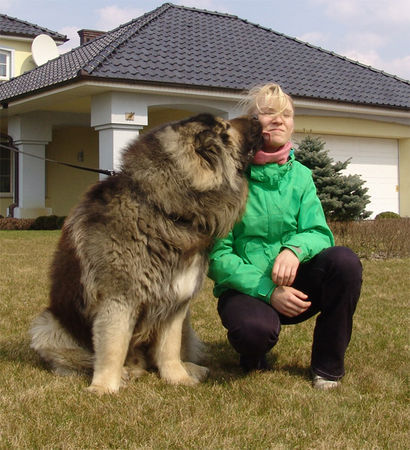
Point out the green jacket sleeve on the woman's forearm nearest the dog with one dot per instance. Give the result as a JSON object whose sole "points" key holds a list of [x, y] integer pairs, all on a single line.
{"points": [[229, 271]]}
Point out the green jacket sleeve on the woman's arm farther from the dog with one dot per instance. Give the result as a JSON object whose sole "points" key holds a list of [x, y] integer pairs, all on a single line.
{"points": [[313, 233]]}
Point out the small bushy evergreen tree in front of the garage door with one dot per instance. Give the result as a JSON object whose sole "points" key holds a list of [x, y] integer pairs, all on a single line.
{"points": [[343, 197]]}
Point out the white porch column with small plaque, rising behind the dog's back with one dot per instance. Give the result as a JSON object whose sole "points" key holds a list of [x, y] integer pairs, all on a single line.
{"points": [[118, 117]]}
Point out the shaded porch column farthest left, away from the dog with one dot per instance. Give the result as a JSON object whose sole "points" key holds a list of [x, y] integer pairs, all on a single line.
{"points": [[31, 134]]}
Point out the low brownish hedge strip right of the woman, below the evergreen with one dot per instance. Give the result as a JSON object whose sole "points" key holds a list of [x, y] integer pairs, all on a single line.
{"points": [[371, 239]]}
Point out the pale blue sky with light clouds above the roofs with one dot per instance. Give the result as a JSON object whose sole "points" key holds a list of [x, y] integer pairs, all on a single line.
{"points": [[373, 32]]}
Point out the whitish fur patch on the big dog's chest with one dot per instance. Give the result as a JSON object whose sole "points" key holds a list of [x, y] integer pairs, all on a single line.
{"points": [[188, 279]]}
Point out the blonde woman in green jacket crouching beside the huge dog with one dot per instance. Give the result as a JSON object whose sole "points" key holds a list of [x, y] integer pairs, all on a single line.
{"points": [[279, 265]]}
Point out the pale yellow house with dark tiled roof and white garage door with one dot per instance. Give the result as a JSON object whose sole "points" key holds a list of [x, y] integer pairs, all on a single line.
{"points": [[174, 61]]}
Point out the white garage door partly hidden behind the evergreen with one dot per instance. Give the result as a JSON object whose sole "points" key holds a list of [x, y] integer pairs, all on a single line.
{"points": [[375, 160]]}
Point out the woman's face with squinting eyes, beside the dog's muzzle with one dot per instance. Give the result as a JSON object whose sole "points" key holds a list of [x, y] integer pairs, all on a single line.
{"points": [[276, 128]]}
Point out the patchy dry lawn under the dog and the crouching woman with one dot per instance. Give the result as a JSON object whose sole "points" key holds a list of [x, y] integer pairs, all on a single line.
{"points": [[277, 409]]}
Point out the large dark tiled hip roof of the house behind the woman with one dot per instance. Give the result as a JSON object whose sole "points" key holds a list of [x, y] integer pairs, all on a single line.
{"points": [[181, 46]]}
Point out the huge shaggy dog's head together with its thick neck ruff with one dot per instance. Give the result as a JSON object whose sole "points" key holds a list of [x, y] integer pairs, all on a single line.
{"points": [[195, 169]]}
